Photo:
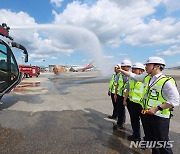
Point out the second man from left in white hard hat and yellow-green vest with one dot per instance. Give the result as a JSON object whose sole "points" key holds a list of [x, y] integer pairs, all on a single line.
{"points": [[119, 94]]}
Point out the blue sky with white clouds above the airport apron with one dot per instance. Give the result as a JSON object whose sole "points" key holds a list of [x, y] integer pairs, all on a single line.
{"points": [[105, 31]]}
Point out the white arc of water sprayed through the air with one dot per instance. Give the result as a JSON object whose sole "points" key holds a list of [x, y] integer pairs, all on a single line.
{"points": [[78, 37]]}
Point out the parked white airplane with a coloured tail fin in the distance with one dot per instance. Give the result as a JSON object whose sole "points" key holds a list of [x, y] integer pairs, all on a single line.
{"points": [[81, 68]]}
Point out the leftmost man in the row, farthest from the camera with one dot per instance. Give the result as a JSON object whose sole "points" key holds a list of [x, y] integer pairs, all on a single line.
{"points": [[111, 90]]}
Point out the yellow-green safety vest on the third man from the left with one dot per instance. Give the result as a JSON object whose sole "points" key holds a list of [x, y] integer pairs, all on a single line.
{"points": [[136, 91]]}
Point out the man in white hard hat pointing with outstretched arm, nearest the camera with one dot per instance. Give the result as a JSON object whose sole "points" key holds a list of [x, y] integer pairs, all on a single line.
{"points": [[160, 96]]}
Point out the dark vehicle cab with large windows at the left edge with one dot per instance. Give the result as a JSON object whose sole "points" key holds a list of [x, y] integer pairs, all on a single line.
{"points": [[10, 75]]}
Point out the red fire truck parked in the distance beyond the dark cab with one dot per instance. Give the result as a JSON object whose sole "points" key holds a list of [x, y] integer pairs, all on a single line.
{"points": [[29, 71]]}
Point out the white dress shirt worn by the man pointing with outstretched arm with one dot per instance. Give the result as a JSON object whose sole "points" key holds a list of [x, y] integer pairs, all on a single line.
{"points": [[169, 90]]}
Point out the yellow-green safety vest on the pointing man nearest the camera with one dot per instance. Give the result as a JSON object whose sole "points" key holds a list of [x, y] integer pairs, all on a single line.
{"points": [[153, 95]]}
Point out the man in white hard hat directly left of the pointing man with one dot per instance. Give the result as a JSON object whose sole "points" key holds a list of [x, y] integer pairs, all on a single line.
{"points": [[135, 91]]}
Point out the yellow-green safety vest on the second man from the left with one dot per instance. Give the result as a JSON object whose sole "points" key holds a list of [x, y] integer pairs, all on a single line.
{"points": [[121, 86]]}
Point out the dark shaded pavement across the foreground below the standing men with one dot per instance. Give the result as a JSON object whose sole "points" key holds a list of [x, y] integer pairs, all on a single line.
{"points": [[79, 131]]}
